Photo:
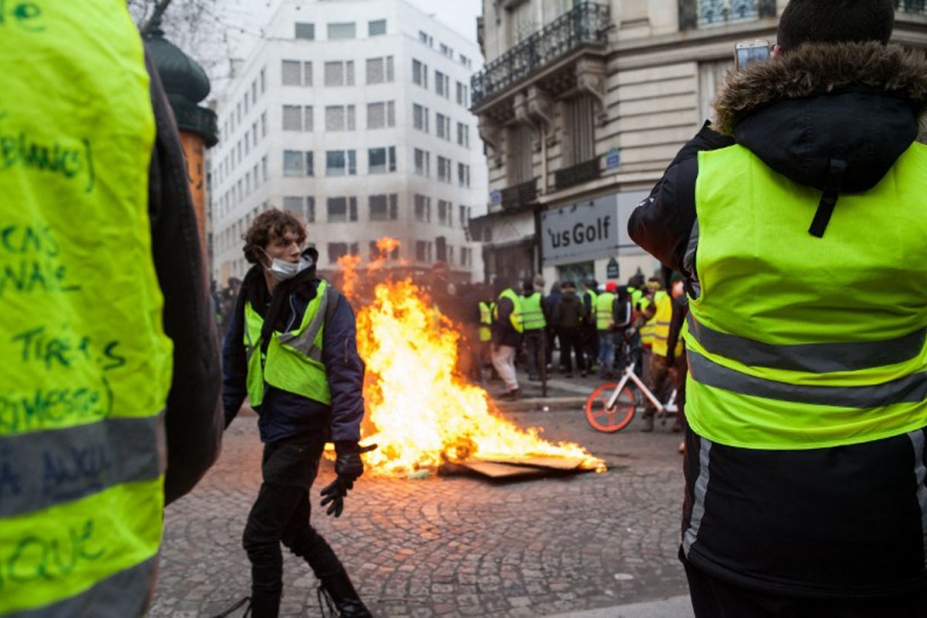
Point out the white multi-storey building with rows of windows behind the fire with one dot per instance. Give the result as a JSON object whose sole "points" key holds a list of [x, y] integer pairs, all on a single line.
{"points": [[355, 115]]}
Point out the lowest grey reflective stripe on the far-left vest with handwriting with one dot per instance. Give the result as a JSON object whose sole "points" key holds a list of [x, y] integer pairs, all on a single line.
{"points": [[123, 595]]}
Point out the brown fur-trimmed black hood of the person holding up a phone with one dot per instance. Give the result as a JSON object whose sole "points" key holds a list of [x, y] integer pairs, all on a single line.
{"points": [[857, 102]]}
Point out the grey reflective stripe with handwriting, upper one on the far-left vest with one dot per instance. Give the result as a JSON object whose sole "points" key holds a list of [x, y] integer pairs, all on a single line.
{"points": [[44, 468]]}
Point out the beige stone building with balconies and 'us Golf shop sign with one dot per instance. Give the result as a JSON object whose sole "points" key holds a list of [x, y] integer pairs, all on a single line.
{"points": [[583, 104]]}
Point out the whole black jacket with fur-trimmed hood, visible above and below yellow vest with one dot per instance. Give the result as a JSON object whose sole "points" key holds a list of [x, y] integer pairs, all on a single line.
{"points": [[830, 523]]}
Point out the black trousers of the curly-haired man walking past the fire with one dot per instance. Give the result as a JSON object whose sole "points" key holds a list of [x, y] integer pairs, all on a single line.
{"points": [[281, 515]]}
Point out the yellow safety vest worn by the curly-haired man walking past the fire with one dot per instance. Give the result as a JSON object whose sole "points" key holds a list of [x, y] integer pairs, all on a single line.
{"points": [[293, 361]]}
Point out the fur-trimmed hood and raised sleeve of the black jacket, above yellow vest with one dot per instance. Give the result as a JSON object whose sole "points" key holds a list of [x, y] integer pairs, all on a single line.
{"points": [[859, 103]]}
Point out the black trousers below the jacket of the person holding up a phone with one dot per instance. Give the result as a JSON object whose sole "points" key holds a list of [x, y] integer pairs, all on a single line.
{"points": [[714, 598]]}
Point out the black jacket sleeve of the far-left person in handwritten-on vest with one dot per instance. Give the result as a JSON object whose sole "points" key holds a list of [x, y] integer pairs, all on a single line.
{"points": [[193, 419]]}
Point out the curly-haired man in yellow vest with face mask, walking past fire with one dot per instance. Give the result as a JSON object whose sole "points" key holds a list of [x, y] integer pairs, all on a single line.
{"points": [[291, 348]]}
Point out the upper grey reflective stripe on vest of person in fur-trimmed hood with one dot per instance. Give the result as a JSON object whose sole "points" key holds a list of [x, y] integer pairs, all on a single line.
{"points": [[809, 357]]}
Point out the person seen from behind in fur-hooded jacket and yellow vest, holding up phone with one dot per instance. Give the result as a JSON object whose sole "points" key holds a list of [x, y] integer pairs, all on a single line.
{"points": [[799, 225]]}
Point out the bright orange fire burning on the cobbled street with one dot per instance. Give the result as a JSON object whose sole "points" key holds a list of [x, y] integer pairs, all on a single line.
{"points": [[422, 412]]}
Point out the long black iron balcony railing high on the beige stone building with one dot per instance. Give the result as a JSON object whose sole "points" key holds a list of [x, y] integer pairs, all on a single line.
{"points": [[585, 24]]}
